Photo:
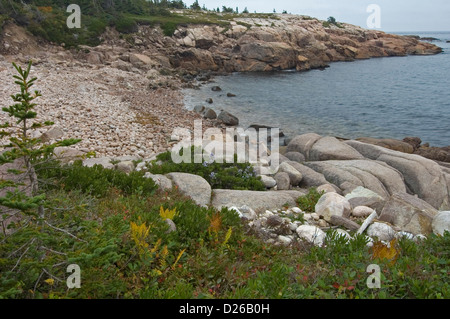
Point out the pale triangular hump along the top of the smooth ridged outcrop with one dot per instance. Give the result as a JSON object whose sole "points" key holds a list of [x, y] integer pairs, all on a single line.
{"points": [[330, 148]]}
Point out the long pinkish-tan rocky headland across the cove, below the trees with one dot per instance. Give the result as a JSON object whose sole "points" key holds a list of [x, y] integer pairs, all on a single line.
{"points": [[237, 44]]}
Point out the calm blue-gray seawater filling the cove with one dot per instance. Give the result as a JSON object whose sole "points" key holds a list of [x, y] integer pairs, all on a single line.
{"points": [[390, 97]]}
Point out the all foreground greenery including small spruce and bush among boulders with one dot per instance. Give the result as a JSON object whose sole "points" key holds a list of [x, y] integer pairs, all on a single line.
{"points": [[117, 229]]}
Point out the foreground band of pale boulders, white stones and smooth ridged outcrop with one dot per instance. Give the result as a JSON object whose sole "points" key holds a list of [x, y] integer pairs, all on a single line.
{"points": [[365, 188]]}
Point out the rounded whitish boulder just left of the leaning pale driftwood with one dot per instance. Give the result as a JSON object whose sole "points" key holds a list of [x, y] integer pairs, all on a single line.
{"points": [[333, 204]]}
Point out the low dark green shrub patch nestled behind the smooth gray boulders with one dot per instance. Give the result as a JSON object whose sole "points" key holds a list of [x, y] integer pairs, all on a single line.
{"points": [[219, 175]]}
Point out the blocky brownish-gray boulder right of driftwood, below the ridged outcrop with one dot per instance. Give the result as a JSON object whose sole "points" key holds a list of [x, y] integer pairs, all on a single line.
{"points": [[409, 213]]}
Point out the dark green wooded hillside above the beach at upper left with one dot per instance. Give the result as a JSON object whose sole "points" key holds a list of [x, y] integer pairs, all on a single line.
{"points": [[47, 18]]}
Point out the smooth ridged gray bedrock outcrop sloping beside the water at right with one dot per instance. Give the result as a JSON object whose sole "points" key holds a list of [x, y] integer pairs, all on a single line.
{"points": [[352, 164]]}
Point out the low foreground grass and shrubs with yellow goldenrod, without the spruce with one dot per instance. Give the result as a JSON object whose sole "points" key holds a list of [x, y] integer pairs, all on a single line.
{"points": [[124, 250]]}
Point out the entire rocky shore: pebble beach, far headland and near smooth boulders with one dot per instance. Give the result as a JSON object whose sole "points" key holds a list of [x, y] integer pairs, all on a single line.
{"points": [[122, 99]]}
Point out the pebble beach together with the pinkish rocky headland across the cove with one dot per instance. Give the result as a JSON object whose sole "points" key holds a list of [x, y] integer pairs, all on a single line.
{"points": [[136, 79]]}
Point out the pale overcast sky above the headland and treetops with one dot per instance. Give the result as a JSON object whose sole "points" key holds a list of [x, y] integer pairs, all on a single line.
{"points": [[396, 15]]}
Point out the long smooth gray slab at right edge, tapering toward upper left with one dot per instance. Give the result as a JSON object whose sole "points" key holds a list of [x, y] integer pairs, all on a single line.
{"points": [[422, 176]]}
